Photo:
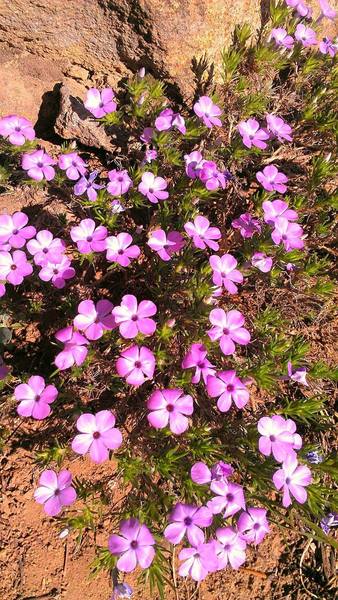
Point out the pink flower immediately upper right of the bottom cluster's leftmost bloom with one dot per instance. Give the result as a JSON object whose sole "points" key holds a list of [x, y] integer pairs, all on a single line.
{"points": [[186, 519]]}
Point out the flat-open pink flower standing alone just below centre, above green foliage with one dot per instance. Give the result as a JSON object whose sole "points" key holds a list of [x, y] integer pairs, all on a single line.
{"points": [[170, 406]]}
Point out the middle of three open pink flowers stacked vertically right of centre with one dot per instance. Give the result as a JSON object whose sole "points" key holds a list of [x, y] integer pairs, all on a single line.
{"points": [[228, 328]]}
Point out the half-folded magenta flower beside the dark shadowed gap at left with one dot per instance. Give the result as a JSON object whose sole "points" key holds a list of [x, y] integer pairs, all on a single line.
{"points": [[74, 351]]}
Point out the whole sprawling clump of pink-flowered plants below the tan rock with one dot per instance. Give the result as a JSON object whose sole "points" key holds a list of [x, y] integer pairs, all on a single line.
{"points": [[185, 280]]}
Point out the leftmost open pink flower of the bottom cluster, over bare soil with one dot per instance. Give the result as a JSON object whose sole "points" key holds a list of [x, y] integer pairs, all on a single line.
{"points": [[134, 546]]}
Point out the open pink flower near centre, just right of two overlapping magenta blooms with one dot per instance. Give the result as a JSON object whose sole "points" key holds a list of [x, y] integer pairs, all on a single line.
{"points": [[133, 318]]}
